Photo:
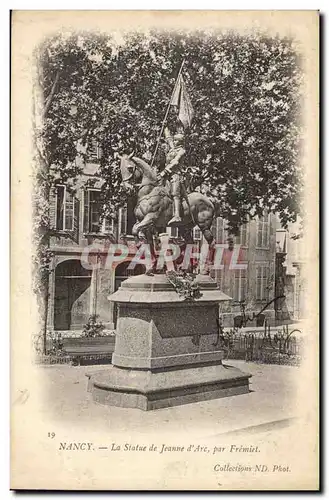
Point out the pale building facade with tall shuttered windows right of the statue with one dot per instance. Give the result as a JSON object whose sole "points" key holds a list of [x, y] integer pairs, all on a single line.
{"points": [[248, 268]]}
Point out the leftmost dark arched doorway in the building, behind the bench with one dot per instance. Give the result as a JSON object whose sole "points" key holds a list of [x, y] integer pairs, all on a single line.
{"points": [[72, 295]]}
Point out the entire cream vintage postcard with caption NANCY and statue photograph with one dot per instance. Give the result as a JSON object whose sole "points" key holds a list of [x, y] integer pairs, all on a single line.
{"points": [[164, 229]]}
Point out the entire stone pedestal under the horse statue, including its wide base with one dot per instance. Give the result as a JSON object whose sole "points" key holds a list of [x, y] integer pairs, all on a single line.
{"points": [[166, 349]]}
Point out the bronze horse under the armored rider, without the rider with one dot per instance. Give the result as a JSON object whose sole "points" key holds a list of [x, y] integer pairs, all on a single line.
{"points": [[154, 207]]}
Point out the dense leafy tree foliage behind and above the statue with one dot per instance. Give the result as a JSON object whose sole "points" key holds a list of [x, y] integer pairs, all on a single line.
{"points": [[245, 140]]}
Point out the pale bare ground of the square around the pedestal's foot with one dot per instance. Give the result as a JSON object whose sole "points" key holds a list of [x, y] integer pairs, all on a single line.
{"points": [[269, 405]]}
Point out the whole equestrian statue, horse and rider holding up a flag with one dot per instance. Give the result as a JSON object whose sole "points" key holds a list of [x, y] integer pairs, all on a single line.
{"points": [[162, 197]]}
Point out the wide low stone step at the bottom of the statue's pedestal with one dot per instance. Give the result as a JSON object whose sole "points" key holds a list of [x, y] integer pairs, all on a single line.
{"points": [[148, 390]]}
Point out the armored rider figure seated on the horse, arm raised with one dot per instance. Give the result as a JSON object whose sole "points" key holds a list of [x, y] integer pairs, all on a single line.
{"points": [[174, 163]]}
